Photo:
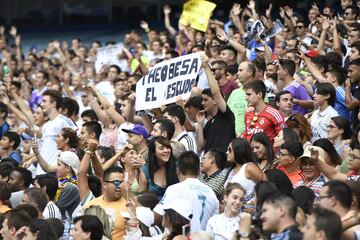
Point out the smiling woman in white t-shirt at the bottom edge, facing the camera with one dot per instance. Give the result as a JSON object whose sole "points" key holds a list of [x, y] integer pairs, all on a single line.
{"points": [[223, 226]]}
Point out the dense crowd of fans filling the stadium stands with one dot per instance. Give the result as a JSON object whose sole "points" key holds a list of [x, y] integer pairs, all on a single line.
{"points": [[266, 147]]}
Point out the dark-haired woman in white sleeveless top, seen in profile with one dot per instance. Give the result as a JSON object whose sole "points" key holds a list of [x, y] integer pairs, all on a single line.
{"points": [[245, 171]]}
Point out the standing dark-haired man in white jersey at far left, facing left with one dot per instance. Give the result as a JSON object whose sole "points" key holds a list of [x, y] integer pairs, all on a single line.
{"points": [[48, 150]]}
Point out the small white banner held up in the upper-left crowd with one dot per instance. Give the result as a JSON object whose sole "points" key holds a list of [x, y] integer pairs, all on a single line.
{"points": [[108, 56]]}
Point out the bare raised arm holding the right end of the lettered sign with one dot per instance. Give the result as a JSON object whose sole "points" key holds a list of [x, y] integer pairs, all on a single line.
{"points": [[214, 87]]}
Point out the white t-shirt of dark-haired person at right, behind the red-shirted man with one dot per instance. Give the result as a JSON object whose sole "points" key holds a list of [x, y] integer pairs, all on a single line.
{"points": [[320, 121]]}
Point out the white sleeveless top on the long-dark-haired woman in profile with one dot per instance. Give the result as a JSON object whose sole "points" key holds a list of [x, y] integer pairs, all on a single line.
{"points": [[245, 182]]}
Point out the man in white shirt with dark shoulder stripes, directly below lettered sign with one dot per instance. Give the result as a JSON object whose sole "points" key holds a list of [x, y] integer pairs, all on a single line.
{"points": [[177, 115]]}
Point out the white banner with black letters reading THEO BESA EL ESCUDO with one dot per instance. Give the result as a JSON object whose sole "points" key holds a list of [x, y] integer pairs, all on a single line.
{"points": [[167, 81]]}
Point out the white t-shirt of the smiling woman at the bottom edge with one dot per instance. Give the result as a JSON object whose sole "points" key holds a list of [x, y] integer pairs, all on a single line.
{"points": [[222, 227]]}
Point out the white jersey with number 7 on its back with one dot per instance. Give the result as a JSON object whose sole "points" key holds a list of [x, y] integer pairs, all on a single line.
{"points": [[201, 197]]}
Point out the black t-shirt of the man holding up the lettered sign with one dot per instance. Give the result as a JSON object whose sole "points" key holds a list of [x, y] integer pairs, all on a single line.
{"points": [[220, 130]]}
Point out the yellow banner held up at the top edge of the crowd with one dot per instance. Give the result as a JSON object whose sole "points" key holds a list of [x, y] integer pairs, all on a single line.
{"points": [[197, 13]]}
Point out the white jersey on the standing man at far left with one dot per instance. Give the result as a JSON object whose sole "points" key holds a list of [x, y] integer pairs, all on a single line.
{"points": [[48, 148]]}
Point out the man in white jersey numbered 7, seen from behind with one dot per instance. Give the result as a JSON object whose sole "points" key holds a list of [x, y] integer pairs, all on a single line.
{"points": [[201, 197]]}
